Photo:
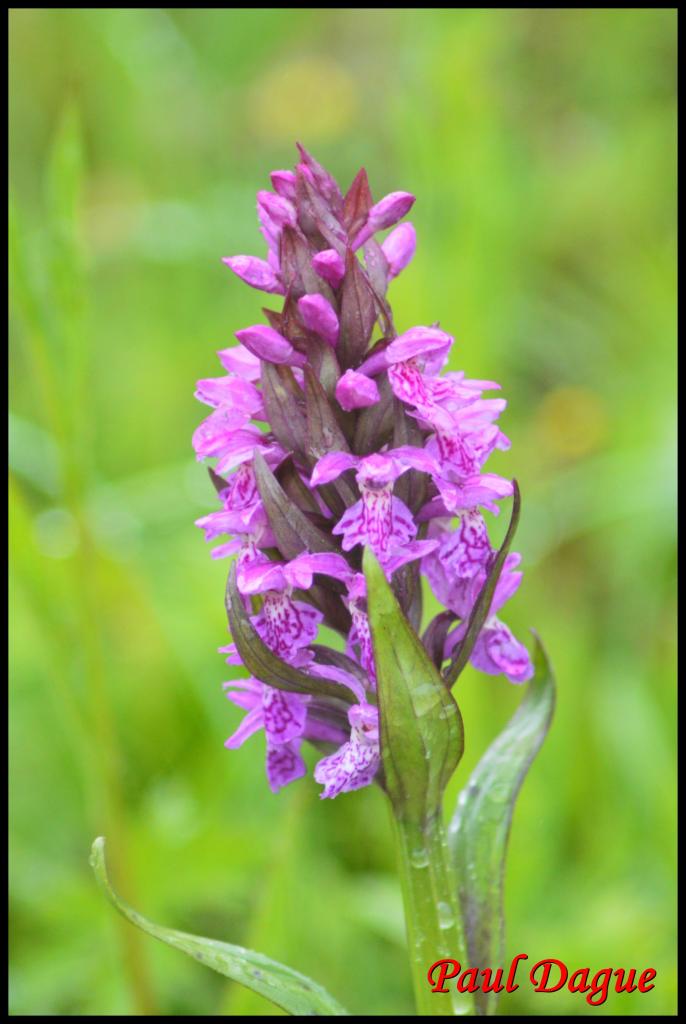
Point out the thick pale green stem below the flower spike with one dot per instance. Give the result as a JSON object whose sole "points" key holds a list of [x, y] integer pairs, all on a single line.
{"points": [[433, 914]]}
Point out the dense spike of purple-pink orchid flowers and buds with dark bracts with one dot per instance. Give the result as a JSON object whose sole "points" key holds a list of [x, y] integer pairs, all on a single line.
{"points": [[368, 441]]}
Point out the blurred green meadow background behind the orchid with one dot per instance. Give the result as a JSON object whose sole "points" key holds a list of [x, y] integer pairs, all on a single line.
{"points": [[542, 148]]}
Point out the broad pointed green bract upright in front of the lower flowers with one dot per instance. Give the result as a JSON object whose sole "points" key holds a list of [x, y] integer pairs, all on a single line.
{"points": [[420, 723]]}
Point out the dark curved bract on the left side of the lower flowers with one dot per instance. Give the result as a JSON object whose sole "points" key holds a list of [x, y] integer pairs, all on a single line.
{"points": [[263, 663]]}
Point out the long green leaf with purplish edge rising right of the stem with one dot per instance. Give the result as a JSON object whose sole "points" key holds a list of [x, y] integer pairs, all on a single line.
{"points": [[480, 831]]}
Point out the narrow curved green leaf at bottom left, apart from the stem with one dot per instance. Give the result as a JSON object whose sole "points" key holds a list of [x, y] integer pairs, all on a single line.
{"points": [[286, 989]]}
